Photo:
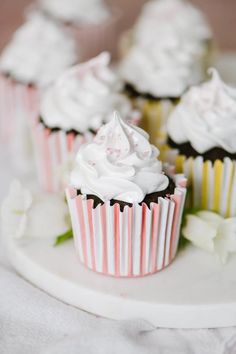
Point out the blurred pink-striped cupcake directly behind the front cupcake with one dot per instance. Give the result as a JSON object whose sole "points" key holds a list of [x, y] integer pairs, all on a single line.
{"points": [[71, 112]]}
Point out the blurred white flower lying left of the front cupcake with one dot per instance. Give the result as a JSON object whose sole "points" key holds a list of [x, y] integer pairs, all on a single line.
{"points": [[34, 215]]}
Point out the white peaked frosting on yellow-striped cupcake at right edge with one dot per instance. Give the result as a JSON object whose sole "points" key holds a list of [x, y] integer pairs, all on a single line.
{"points": [[206, 117]]}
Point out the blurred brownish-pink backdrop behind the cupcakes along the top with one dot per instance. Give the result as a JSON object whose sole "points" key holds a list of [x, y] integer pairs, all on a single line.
{"points": [[221, 14]]}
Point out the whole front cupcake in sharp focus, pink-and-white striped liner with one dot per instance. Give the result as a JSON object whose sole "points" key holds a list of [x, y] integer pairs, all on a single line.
{"points": [[118, 188]]}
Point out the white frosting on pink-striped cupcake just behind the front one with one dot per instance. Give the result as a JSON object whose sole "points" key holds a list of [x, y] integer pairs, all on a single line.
{"points": [[85, 97]]}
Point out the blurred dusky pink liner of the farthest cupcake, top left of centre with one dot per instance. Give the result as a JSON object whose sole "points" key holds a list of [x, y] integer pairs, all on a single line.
{"points": [[94, 39]]}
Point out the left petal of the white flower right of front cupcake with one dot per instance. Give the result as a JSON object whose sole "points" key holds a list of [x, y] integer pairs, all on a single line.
{"points": [[200, 233]]}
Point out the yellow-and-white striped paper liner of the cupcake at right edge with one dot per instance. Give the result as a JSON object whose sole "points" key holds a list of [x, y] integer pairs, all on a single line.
{"points": [[212, 186]]}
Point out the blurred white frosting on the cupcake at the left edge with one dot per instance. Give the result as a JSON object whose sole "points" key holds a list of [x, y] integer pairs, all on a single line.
{"points": [[39, 51]]}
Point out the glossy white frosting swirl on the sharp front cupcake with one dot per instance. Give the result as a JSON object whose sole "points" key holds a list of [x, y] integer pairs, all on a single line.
{"points": [[119, 164]]}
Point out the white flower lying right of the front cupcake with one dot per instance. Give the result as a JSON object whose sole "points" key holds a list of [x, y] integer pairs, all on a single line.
{"points": [[211, 232]]}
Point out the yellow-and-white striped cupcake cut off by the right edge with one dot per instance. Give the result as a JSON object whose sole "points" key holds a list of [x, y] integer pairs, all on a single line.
{"points": [[201, 142]]}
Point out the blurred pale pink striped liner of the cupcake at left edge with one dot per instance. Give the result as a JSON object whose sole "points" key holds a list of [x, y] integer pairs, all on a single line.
{"points": [[19, 106]]}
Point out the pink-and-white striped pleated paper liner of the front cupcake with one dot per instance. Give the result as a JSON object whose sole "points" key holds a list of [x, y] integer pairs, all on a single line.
{"points": [[131, 243]]}
